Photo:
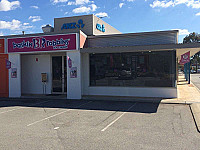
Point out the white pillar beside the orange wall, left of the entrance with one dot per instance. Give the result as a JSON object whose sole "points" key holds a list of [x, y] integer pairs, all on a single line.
{"points": [[15, 83]]}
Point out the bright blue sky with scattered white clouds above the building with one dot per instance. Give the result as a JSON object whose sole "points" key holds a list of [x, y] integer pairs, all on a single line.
{"points": [[128, 16]]}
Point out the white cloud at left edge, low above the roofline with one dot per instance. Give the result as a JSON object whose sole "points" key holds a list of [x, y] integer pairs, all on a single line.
{"points": [[14, 25]]}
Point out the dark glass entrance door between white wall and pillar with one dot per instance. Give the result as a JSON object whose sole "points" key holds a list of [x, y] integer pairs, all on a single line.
{"points": [[59, 74]]}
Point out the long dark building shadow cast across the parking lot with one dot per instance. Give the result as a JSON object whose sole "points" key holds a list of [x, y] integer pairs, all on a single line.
{"points": [[103, 105]]}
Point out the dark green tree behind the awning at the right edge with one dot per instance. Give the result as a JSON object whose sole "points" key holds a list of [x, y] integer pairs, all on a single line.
{"points": [[193, 38]]}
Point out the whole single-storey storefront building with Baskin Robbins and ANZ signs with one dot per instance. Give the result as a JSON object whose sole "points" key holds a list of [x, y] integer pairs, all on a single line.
{"points": [[85, 56]]}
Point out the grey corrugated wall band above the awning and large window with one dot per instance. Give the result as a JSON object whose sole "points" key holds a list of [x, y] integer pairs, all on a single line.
{"points": [[134, 39]]}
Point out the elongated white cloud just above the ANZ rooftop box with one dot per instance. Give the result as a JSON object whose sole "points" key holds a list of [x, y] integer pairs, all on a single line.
{"points": [[84, 9]]}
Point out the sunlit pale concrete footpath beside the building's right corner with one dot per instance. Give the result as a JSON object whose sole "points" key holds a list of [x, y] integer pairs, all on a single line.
{"points": [[187, 94]]}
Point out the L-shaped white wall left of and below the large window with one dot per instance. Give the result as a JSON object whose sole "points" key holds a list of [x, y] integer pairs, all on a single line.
{"points": [[121, 91]]}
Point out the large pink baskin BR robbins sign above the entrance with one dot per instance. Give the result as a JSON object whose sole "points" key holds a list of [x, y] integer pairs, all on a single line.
{"points": [[42, 43]]}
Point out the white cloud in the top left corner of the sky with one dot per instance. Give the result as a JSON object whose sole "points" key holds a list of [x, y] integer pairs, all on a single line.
{"points": [[5, 5]]}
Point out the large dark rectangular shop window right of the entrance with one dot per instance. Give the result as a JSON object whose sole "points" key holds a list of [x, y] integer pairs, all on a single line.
{"points": [[144, 69]]}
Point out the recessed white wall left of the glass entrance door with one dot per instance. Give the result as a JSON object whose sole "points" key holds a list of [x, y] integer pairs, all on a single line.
{"points": [[31, 73]]}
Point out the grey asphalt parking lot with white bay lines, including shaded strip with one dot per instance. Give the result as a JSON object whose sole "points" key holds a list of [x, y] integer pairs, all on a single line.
{"points": [[89, 125]]}
